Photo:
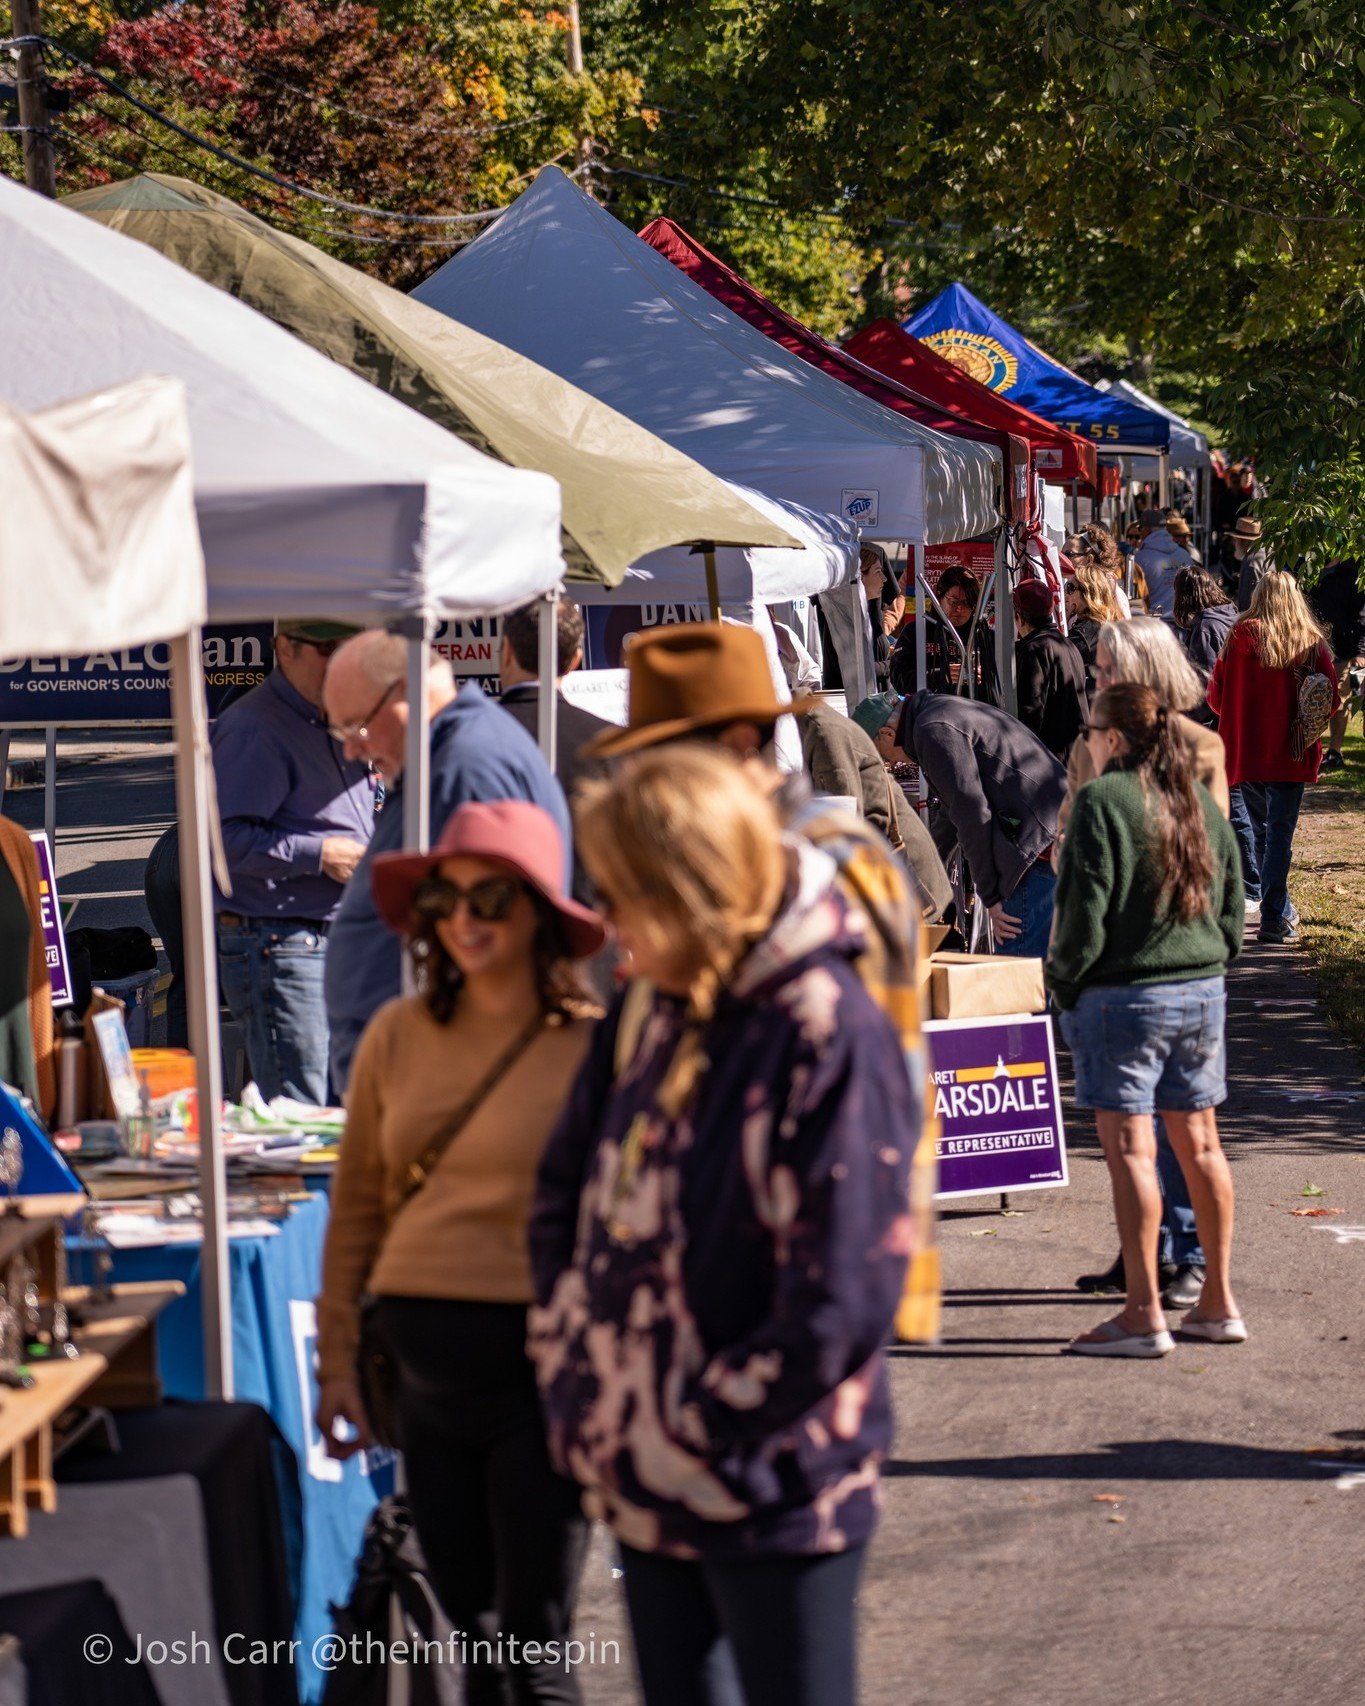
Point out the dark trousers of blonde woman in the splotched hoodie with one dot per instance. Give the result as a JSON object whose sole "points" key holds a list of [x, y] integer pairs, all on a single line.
{"points": [[745, 1632]]}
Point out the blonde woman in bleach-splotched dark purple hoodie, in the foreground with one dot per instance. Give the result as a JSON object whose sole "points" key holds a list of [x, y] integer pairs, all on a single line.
{"points": [[719, 1241]]}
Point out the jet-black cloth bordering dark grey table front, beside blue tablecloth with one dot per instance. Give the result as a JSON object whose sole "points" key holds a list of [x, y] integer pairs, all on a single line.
{"points": [[248, 1485]]}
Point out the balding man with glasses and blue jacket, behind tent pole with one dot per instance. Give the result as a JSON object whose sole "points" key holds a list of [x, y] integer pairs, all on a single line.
{"points": [[479, 753]]}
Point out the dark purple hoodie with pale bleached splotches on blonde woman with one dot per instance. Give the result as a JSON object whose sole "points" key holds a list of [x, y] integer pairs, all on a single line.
{"points": [[716, 1291]]}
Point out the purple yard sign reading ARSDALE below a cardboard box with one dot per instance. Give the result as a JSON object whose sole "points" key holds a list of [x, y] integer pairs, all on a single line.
{"points": [[997, 1103]]}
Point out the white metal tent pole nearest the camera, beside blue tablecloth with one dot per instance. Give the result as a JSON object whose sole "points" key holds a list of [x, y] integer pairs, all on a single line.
{"points": [[194, 794]]}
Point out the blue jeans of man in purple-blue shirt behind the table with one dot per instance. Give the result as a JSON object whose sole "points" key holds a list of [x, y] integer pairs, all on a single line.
{"points": [[272, 980]]}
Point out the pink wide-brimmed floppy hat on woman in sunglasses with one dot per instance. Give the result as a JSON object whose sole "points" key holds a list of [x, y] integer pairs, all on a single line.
{"points": [[513, 833]]}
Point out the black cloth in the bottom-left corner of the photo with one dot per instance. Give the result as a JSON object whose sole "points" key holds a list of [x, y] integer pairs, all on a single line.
{"points": [[54, 1627]]}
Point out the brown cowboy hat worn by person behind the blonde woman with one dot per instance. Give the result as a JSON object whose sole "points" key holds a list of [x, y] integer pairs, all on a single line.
{"points": [[690, 678]]}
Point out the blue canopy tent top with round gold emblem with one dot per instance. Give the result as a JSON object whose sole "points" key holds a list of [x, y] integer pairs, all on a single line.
{"points": [[960, 327]]}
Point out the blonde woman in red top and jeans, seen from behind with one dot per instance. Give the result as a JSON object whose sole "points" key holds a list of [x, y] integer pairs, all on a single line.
{"points": [[1255, 690]]}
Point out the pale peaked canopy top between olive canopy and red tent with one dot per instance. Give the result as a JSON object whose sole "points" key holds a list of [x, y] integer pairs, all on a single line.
{"points": [[564, 282]]}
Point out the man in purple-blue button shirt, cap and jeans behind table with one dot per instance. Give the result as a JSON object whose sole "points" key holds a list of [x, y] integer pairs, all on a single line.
{"points": [[298, 820]]}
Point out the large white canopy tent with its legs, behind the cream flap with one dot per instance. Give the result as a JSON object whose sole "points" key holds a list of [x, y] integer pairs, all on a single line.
{"points": [[317, 496]]}
